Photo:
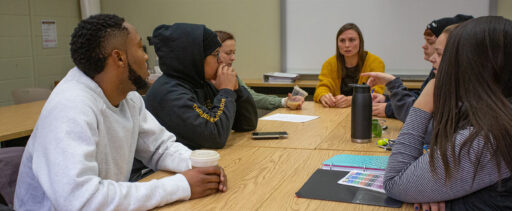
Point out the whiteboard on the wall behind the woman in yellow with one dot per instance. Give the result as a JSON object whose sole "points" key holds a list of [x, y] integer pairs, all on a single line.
{"points": [[392, 30]]}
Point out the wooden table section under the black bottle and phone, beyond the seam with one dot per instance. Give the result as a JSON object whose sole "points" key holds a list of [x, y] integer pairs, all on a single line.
{"points": [[330, 131]]}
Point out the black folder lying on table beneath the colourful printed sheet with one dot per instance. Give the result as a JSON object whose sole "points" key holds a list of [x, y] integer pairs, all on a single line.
{"points": [[323, 185]]}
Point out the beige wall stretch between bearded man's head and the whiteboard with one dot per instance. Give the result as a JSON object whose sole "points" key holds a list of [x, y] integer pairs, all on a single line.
{"points": [[255, 24]]}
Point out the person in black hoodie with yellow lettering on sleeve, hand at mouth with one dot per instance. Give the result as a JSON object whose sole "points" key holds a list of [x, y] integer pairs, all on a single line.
{"points": [[197, 99]]}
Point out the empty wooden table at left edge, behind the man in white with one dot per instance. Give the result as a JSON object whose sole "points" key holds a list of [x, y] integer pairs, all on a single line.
{"points": [[19, 120]]}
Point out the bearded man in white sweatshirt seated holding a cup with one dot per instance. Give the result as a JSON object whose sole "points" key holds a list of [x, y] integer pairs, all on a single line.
{"points": [[80, 154]]}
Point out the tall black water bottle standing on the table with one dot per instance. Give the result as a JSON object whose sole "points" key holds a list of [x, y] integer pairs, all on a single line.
{"points": [[361, 114]]}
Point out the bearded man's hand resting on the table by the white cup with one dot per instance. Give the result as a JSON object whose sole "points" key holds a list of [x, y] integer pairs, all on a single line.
{"points": [[205, 181]]}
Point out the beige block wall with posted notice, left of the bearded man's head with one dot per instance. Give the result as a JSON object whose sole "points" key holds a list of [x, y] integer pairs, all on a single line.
{"points": [[23, 61]]}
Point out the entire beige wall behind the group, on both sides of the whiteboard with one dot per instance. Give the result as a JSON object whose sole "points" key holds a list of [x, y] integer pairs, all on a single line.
{"points": [[24, 63]]}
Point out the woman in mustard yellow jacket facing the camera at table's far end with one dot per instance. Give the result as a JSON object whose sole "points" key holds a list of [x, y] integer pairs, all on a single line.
{"points": [[345, 68]]}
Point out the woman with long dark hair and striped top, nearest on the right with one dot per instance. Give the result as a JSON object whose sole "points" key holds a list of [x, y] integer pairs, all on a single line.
{"points": [[470, 157]]}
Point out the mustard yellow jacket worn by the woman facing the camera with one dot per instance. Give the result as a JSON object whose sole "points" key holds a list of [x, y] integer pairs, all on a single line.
{"points": [[330, 78]]}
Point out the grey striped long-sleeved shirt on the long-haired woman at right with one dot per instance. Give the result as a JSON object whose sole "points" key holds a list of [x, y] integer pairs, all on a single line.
{"points": [[408, 175]]}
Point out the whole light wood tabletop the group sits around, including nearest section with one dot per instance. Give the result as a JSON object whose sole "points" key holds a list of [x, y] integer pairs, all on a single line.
{"points": [[265, 174]]}
